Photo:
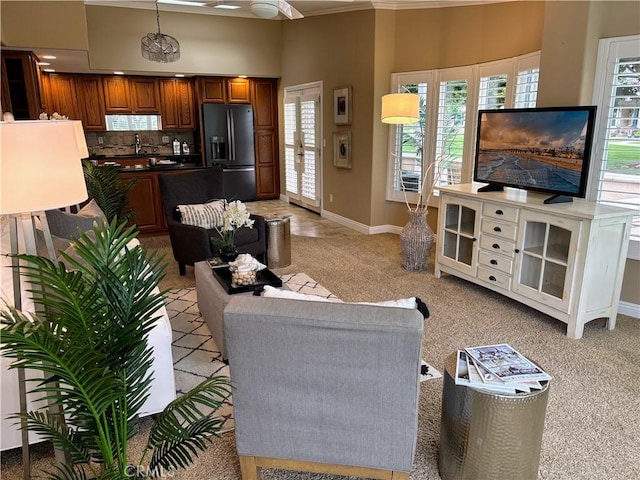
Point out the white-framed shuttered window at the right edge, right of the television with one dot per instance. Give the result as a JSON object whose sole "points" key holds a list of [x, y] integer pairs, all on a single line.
{"points": [[615, 170]]}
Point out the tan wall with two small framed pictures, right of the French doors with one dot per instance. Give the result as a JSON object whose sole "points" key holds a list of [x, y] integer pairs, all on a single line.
{"points": [[338, 50]]}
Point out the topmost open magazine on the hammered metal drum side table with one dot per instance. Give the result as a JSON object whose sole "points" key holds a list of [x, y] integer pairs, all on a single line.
{"points": [[506, 363]]}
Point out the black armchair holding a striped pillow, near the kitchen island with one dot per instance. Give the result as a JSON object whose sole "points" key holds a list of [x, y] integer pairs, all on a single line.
{"points": [[191, 244]]}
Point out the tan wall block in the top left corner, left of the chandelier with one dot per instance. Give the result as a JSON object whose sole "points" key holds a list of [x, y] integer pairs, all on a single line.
{"points": [[60, 25]]}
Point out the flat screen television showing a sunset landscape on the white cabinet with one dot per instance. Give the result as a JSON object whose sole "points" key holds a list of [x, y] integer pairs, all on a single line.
{"points": [[541, 149]]}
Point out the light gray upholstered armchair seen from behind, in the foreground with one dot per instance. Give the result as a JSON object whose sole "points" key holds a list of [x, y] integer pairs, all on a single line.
{"points": [[324, 387]]}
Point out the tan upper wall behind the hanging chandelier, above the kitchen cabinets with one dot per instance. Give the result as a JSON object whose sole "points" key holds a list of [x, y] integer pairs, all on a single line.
{"points": [[222, 45]]}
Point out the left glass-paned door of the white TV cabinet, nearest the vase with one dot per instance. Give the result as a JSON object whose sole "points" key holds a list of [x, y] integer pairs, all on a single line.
{"points": [[458, 242]]}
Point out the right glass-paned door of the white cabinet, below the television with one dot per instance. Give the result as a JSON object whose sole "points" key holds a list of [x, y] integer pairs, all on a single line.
{"points": [[545, 263]]}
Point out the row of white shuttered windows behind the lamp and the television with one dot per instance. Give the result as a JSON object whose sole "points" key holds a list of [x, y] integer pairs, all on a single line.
{"points": [[438, 150]]}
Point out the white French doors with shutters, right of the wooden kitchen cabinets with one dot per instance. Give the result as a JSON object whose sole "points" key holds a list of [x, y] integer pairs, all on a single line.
{"points": [[302, 145]]}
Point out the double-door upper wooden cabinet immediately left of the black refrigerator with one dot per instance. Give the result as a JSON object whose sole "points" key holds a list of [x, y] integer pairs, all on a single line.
{"points": [[177, 106]]}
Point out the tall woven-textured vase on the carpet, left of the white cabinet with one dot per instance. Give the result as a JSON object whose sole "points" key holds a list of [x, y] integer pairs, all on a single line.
{"points": [[416, 240]]}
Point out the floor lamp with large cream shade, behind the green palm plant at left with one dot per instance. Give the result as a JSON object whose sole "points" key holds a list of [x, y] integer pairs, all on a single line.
{"points": [[40, 169]]}
